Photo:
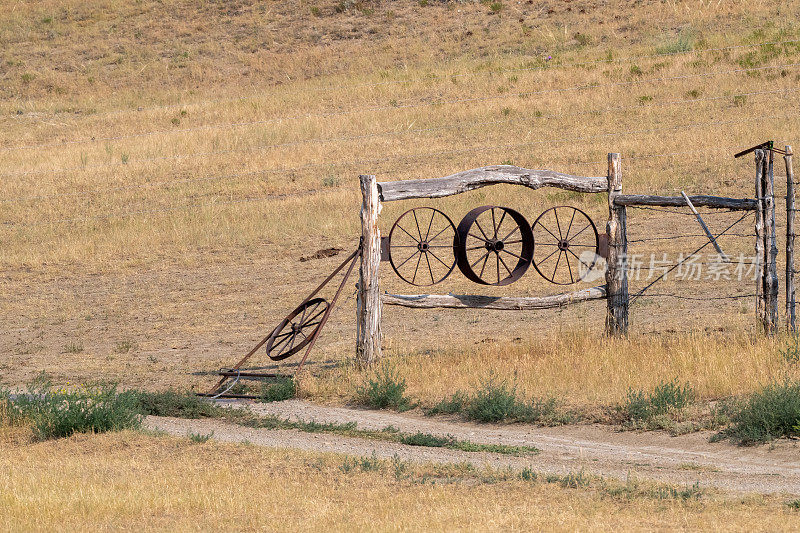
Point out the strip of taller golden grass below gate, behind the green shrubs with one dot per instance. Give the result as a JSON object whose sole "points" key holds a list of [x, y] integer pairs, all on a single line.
{"points": [[579, 368]]}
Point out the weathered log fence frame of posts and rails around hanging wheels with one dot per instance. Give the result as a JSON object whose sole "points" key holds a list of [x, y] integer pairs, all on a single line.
{"points": [[615, 290]]}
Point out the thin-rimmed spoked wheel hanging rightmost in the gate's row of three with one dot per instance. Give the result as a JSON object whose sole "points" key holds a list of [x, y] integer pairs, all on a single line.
{"points": [[566, 245]]}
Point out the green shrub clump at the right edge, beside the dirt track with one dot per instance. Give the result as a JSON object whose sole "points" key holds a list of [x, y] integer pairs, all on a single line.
{"points": [[767, 414]]}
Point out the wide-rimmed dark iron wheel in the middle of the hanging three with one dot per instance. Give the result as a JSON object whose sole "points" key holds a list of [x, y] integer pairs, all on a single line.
{"points": [[495, 245]]}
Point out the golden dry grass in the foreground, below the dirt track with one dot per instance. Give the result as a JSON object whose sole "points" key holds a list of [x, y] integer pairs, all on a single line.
{"points": [[135, 481]]}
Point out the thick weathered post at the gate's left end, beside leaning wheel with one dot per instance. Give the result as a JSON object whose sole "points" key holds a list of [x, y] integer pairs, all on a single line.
{"points": [[368, 331]]}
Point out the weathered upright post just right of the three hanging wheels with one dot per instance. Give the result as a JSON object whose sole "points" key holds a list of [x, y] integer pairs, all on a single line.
{"points": [[617, 267]]}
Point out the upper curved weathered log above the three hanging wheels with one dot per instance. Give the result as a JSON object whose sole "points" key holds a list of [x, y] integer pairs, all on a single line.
{"points": [[481, 177]]}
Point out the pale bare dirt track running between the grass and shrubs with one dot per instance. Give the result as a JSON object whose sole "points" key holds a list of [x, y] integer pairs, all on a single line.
{"points": [[596, 449]]}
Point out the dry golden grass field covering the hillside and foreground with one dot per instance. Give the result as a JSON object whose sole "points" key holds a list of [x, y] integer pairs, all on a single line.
{"points": [[168, 167]]}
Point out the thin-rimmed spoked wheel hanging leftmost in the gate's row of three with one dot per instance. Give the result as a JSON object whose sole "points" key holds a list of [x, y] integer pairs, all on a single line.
{"points": [[421, 246]]}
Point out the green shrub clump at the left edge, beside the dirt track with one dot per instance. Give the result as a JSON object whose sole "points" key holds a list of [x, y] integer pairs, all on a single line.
{"points": [[61, 413]]}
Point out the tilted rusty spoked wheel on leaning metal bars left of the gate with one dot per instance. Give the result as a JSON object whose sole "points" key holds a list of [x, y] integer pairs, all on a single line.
{"points": [[297, 329]]}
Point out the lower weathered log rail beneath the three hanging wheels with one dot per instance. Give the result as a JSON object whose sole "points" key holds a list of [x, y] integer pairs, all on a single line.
{"points": [[502, 303]]}
